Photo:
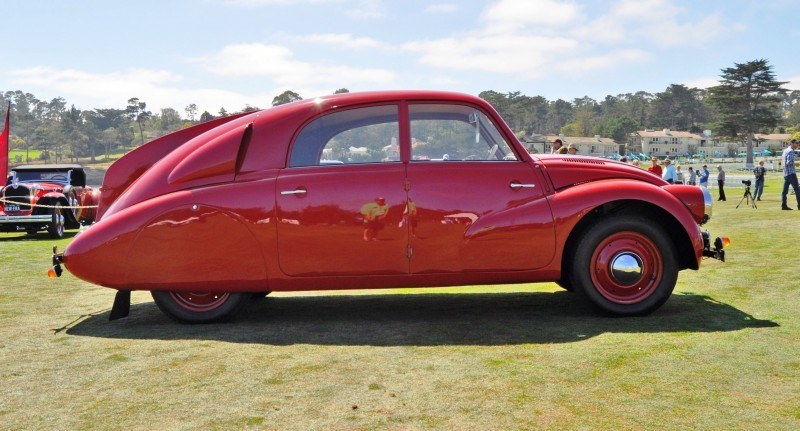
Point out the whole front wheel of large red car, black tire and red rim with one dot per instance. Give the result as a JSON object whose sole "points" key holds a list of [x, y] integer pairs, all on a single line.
{"points": [[625, 265]]}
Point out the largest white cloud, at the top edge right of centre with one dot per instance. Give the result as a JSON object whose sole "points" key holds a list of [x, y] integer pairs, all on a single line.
{"points": [[531, 38]]}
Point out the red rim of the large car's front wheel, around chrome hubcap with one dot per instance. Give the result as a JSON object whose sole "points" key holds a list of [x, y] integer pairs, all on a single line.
{"points": [[632, 246]]}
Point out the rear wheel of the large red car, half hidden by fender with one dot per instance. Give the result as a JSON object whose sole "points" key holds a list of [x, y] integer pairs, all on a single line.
{"points": [[200, 307]]}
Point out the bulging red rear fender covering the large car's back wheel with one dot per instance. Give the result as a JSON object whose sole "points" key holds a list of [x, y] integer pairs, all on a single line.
{"points": [[173, 242]]}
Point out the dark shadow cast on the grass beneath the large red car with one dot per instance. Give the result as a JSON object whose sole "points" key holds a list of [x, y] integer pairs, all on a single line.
{"points": [[421, 320]]}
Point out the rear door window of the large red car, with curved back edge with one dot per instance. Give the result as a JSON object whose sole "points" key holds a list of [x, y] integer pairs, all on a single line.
{"points": [[362, 135]]}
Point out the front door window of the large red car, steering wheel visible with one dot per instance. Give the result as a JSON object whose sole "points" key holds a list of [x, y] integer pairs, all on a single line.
{"points": [[455, 132]]}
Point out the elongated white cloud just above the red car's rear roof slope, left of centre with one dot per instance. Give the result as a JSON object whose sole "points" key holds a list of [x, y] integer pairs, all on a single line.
{"points": [[277, 62]]}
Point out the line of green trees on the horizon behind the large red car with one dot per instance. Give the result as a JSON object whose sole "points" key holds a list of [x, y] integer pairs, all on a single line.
{"points": [[748, 100]]}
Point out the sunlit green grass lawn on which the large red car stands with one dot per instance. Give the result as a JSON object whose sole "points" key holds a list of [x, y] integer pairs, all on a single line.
{"points": [[722, 354]]}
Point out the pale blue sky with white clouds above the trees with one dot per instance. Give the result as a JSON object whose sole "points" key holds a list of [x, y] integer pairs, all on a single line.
{"points": [[232, 53]]}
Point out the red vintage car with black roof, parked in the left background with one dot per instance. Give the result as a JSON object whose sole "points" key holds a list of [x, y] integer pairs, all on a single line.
{"points": [[47, 197]]}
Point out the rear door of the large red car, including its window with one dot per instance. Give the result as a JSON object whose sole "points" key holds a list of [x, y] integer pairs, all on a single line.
{"points": [[340, 201]]}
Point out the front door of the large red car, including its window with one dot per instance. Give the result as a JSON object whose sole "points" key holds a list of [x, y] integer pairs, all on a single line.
{"points": [[474, 206]]}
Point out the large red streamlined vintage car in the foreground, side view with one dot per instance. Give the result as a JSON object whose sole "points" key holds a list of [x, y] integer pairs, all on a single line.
{"points": [[380, 190]]}
